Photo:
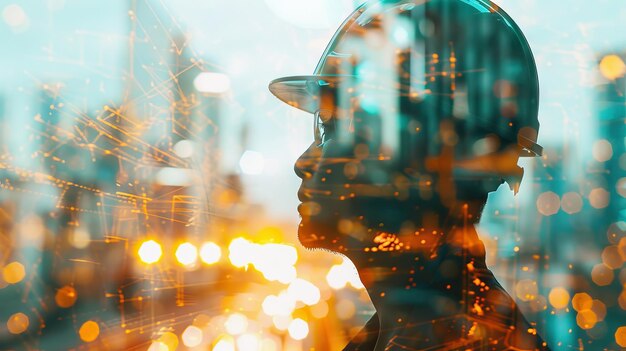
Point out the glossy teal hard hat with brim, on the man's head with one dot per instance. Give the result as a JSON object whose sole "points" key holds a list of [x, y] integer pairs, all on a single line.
{"points": [[425, 62]]}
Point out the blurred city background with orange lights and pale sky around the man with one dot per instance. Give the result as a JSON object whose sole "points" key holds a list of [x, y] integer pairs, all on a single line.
{"points": [[147, 193]]}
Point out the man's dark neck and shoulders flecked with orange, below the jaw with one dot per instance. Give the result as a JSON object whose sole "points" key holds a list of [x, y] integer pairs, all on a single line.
{"points": [[430, 287]]}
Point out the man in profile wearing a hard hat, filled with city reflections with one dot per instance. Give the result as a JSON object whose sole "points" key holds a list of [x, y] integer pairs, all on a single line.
{"points": [[421, 109]]}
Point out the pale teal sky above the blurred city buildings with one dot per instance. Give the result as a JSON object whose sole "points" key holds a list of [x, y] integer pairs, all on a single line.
{"points": [[84, 44]]}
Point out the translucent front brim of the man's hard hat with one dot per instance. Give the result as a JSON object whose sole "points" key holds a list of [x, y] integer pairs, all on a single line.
{"points": [[303, 92]]}
